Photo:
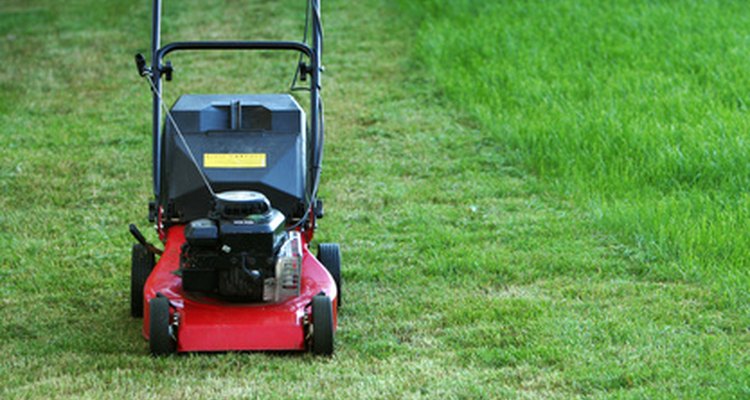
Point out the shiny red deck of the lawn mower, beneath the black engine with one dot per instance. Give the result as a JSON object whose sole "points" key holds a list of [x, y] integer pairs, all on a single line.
{"points": [[207, 324]]}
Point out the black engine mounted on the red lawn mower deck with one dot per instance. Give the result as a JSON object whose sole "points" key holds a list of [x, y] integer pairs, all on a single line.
{"points": [[242, 251]]}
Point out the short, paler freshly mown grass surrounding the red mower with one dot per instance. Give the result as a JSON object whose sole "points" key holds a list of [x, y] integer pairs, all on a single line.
{"points": [[464, 277]]}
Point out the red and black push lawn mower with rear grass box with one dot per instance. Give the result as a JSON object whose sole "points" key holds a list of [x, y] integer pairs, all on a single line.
{"points": [[235, 180]]}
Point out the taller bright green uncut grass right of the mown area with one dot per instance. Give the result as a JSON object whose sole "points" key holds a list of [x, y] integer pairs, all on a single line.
{"points": [[637, 110]]}
